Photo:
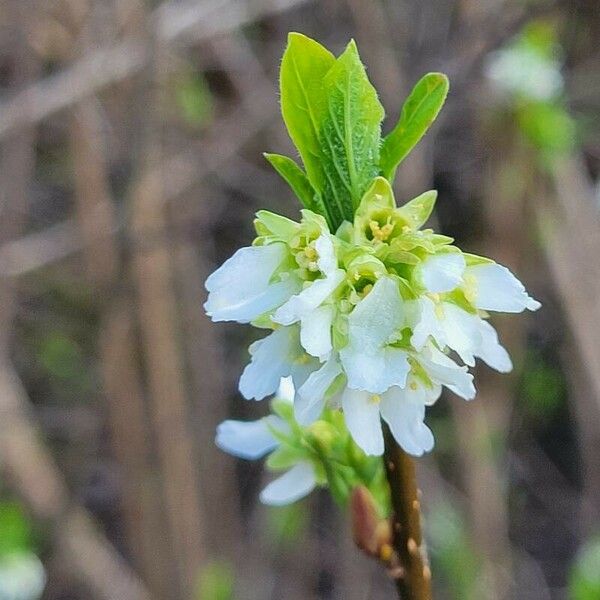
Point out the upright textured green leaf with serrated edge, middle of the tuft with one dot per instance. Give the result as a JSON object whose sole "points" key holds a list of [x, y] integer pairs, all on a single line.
{"points": [[350, 134]]}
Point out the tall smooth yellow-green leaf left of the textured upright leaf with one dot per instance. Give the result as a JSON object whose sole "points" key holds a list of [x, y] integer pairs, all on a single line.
{"points": [[303, 102]]}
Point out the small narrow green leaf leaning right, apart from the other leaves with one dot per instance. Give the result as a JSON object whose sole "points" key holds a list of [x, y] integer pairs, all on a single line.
{"points": [[418, 113]]}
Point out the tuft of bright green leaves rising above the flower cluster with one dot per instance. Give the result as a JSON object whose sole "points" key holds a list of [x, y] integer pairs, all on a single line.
{"points": [[334, 117]]}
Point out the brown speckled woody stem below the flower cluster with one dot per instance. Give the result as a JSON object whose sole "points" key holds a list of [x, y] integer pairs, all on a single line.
{"points": [[413, 576]]}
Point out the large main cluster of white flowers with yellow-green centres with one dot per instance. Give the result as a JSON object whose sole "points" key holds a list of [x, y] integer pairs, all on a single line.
{"points": [[373, 318]]}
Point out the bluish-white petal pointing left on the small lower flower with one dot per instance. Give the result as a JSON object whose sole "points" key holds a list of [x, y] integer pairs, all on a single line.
{"points": [[248, 439]]}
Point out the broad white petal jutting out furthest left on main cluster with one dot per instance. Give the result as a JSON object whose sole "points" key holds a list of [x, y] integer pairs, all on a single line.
{"points": [[241, 289]]}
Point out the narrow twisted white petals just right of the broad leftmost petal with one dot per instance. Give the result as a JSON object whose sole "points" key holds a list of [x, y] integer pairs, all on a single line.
{"points": [[306, 306]]}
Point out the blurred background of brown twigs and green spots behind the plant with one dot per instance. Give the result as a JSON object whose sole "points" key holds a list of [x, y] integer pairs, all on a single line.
{"points": [[131, 135]]}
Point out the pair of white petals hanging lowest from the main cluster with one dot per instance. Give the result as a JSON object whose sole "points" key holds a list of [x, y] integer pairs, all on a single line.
{"points": [[402, 409]]}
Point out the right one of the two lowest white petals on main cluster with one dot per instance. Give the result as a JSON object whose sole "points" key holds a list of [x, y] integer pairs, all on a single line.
{"points": [[404, 411]]}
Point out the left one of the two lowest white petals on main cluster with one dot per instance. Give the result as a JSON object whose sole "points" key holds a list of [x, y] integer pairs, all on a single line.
{"points": [[361, 414]]}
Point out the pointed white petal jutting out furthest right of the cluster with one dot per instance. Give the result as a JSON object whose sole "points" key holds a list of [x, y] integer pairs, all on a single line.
{"points": [[498, 289]]}
